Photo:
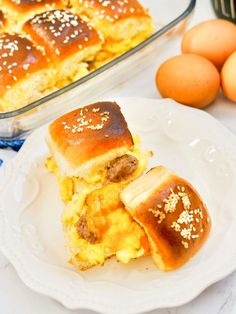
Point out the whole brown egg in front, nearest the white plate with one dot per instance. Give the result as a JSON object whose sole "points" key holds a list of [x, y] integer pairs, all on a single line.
{"points": [[189, 79]]}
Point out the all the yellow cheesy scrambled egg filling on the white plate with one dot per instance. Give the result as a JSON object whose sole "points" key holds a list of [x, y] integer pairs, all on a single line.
{"points": [[98, 206]]}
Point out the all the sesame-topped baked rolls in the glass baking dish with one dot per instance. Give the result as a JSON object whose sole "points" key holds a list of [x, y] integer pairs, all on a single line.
{"points": [[66, 47]]}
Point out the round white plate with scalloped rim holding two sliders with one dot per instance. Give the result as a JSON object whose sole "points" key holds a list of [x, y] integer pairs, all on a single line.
{"points": [[190, 142]]}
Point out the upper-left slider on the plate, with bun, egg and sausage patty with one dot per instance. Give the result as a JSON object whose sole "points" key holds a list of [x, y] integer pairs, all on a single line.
{"points": [[92, 146]]}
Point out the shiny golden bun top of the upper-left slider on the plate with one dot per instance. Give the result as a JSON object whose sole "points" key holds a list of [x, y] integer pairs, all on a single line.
{"points": [[91, 131]]}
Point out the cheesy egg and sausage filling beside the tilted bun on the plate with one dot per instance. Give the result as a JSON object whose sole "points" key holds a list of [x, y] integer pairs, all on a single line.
{"points": [[98, 227]]}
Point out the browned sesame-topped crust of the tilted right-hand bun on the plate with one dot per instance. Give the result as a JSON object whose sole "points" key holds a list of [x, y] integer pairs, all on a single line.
{"points": [[176, 235]]}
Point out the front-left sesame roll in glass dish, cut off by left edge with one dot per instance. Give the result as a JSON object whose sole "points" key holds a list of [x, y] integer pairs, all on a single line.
{"points": [[25, 72]]}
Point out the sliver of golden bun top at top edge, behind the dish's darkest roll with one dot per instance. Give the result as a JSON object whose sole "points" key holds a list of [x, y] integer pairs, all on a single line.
{"points": [[24, 6]]}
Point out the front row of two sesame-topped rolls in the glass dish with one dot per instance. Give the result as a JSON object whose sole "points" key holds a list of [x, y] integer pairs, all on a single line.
{"points": [[52, 52]]}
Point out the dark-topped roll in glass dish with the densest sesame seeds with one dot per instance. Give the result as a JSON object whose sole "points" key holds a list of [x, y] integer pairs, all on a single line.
{"points": [[68, 40]]}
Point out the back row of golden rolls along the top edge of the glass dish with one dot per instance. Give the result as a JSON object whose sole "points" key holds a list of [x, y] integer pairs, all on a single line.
{"points": [[123, 23]]}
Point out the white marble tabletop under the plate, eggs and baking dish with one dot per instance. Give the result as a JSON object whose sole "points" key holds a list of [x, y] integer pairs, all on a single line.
{"points": [[220, 298]]}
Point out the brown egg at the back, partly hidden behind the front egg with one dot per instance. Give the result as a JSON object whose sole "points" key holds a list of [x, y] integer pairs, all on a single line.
{"points": [[214, 40]]}
